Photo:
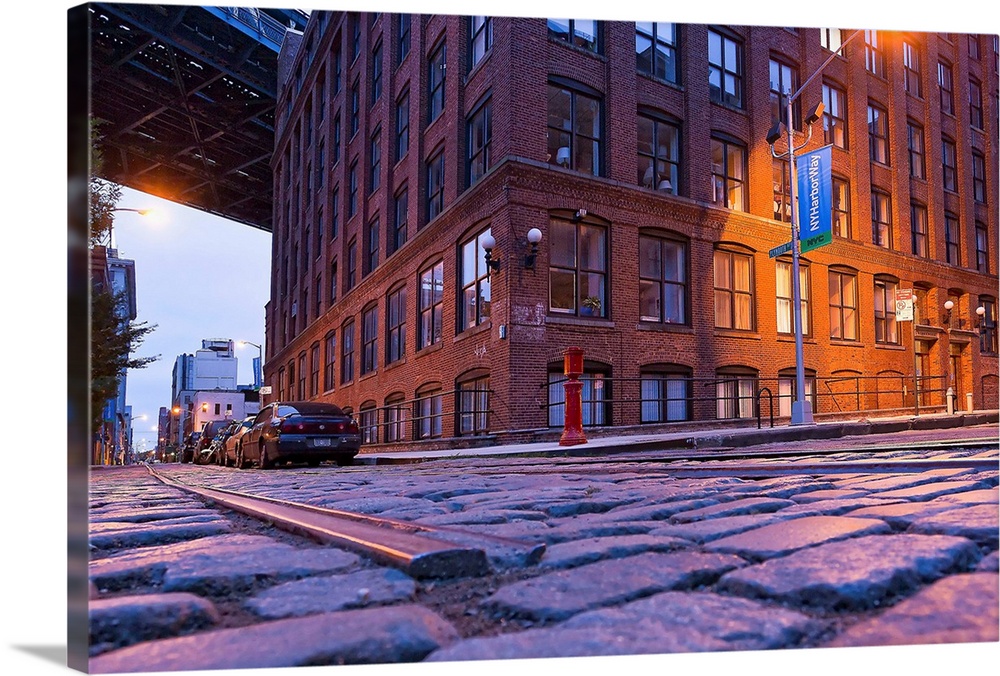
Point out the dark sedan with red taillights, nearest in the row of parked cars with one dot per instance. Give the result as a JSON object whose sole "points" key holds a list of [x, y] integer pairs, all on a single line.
{"points": [[301, 431]]}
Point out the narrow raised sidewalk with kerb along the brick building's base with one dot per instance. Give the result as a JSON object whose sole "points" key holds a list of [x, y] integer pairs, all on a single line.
{"points": [[704, 439]]}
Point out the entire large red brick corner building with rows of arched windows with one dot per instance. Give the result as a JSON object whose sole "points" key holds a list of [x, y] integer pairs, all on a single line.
{"points": [[639, 153]]}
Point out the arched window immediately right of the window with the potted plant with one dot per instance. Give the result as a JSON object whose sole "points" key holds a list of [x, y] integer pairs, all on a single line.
{"points": [[663, 275]]}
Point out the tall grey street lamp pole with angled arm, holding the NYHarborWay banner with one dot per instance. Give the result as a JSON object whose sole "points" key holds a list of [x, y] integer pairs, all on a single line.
{"points": [[802, 407]]}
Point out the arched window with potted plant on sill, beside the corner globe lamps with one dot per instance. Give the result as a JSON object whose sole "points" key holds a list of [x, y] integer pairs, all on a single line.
{"points": [[577, 268]]}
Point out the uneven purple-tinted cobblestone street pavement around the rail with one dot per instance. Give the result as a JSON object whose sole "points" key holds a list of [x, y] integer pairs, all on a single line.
{"points": [[638, 561]]}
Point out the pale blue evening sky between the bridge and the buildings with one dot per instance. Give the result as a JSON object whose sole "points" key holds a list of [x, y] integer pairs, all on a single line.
{"points": [[198, 276]]}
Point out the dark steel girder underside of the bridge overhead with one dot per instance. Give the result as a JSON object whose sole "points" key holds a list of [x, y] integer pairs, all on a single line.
{"points": [[187, 103]]}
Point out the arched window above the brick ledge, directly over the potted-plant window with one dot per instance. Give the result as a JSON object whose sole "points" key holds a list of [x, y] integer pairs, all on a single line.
{"points": [[574, 130]]}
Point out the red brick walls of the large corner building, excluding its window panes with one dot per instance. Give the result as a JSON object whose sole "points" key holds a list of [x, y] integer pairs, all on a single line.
{"points": [[522, 339]]}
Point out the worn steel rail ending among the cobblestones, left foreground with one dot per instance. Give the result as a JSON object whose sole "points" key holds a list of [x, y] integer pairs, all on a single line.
{"points": [[420, 551]]}
